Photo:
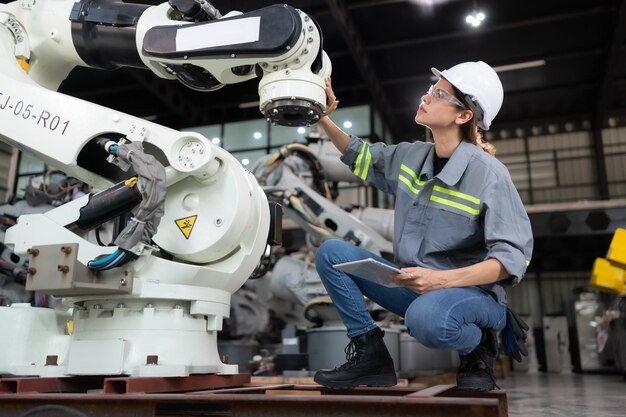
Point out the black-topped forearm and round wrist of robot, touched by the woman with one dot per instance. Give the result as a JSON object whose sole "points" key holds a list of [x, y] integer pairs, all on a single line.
{"points": [[280, 44]]}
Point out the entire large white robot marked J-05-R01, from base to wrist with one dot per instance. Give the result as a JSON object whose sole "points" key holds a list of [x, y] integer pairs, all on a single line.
{"points": [[169, 303]]}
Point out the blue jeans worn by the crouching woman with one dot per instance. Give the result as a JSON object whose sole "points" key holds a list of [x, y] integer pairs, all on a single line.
{"points": [[444, 319]]}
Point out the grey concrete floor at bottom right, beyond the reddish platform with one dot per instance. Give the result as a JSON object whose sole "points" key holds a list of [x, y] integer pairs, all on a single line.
{"points": [[562, 395]]}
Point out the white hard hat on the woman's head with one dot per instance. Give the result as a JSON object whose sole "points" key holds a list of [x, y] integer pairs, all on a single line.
{"points": [[481, 87]]}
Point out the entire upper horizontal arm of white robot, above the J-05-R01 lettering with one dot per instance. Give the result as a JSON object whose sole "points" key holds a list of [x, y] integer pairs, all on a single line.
{"points": [[280, 44]]}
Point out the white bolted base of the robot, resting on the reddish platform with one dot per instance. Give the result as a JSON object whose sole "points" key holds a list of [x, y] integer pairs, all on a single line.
{"points": [[155, 340]]}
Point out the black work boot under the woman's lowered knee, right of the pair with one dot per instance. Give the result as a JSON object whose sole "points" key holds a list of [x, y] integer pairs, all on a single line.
{"points": [[476, 370]]}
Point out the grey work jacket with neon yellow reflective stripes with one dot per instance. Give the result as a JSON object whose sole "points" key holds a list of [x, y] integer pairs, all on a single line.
{"points": [[467, 213]]}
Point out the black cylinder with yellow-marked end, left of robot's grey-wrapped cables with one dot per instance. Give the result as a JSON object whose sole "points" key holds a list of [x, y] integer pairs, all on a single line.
{"points": [[109, 204]]}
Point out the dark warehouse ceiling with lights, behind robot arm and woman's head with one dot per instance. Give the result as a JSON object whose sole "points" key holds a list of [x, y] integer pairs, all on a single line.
{"points": [[559, 61]]}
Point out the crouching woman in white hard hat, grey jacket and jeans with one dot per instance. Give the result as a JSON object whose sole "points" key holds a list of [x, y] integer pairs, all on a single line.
{"points": [[461, 235]]}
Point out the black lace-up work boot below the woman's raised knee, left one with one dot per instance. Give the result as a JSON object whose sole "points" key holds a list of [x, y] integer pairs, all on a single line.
{"points": [[369, 363]]}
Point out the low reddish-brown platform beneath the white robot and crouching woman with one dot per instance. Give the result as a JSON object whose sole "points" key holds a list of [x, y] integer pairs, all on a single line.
{"points": [[244, 400]]}
